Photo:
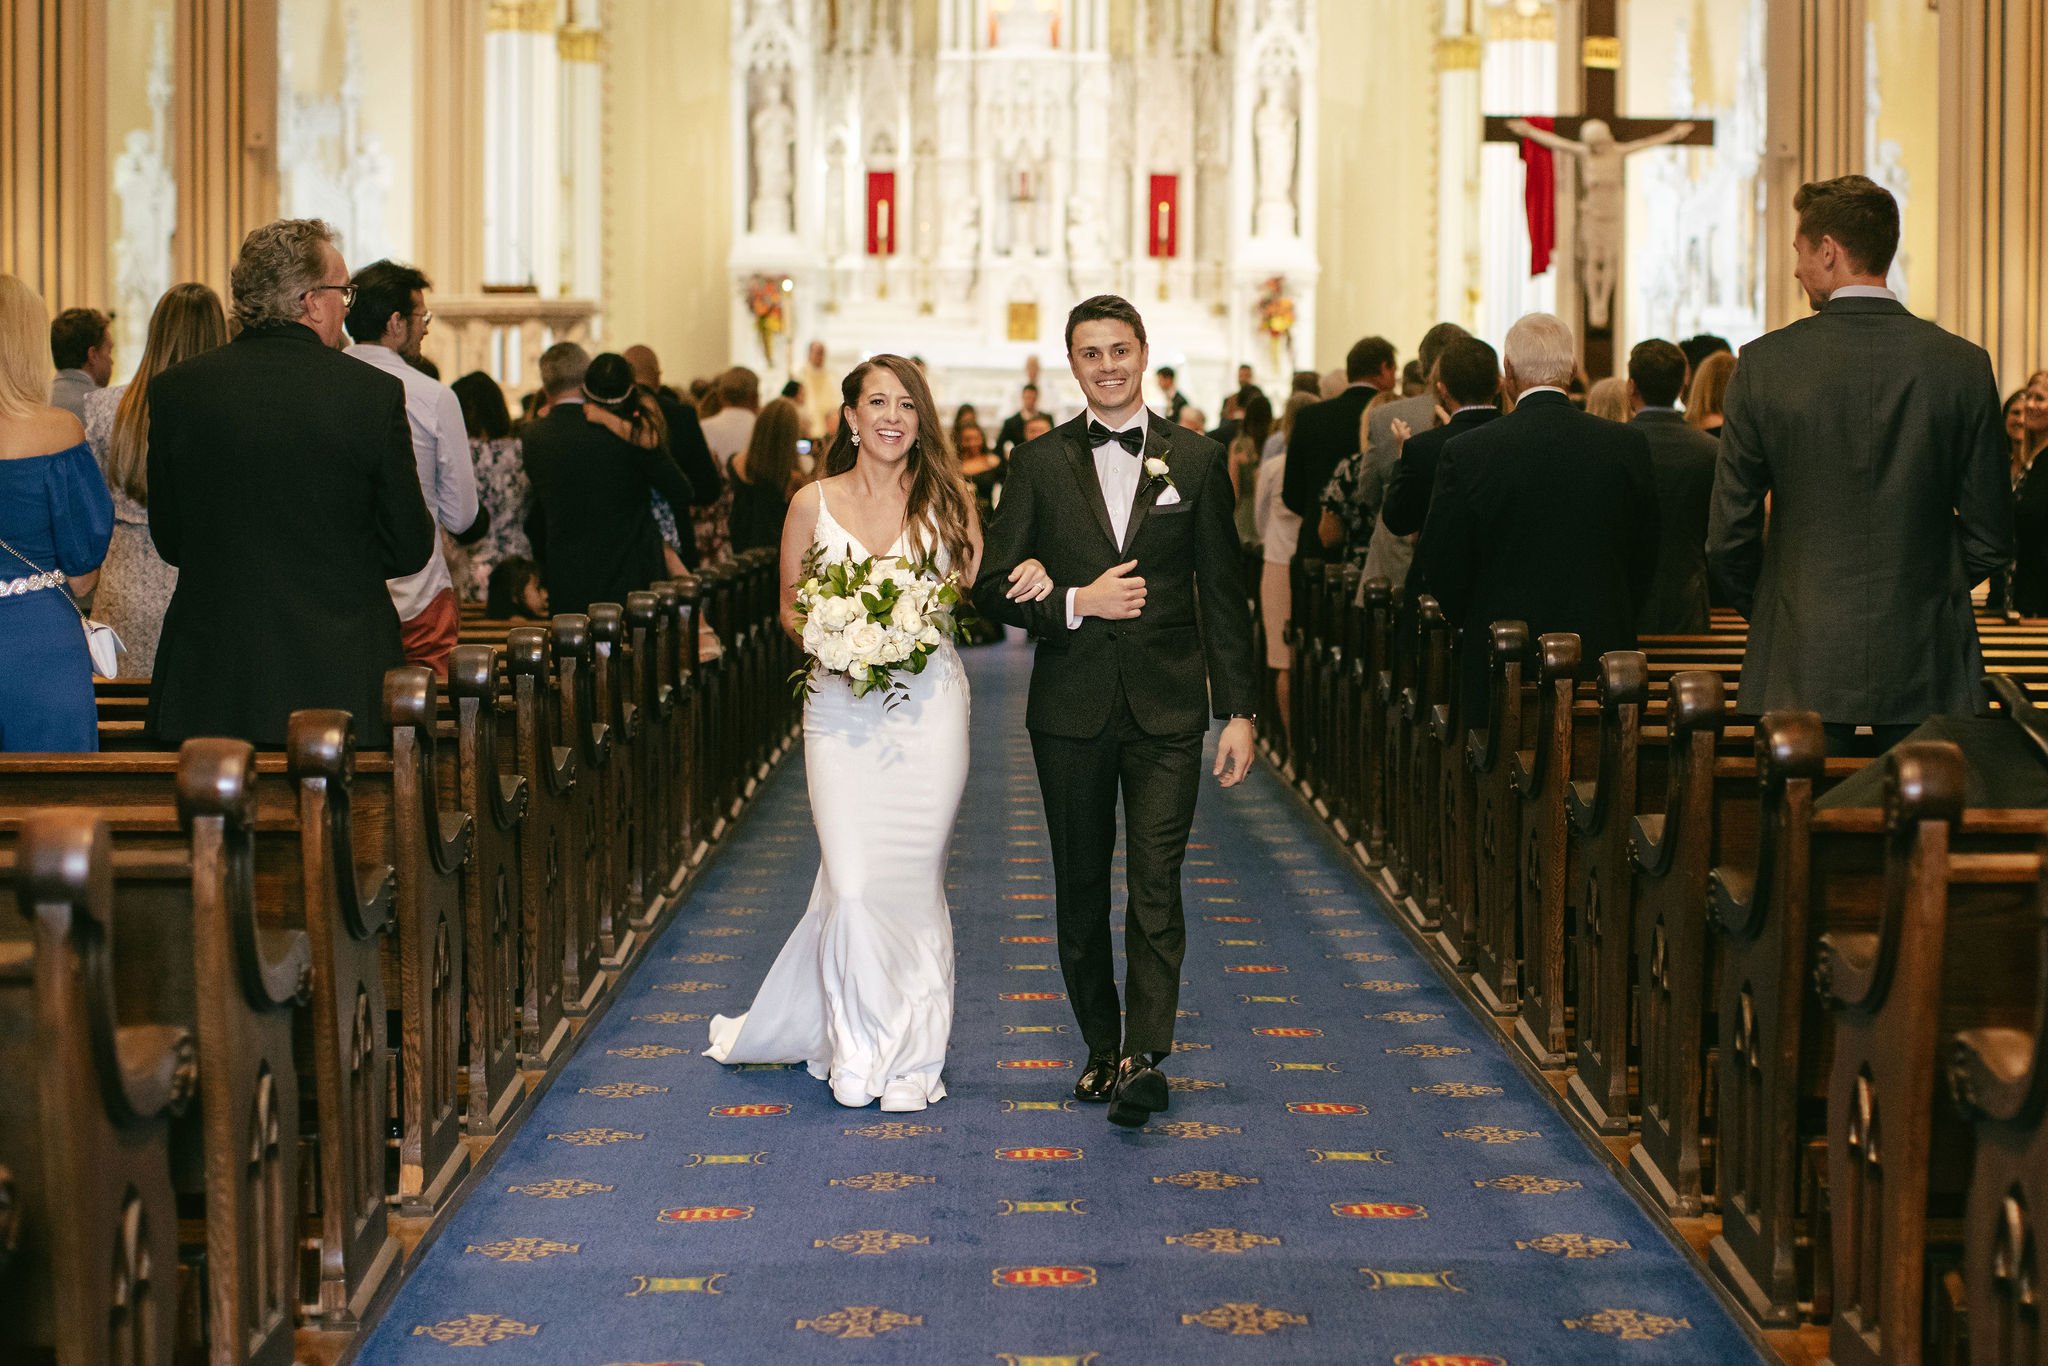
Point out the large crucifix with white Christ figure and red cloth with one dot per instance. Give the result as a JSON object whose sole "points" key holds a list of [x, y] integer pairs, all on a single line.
{"points": [[1598, 142]]}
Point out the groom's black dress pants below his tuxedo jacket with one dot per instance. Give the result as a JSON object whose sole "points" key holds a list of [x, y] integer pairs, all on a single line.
{"points": [[1080, 779]]}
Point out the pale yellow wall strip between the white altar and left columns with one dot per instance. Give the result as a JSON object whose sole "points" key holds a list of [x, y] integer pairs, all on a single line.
{"points": [[669, 181]]}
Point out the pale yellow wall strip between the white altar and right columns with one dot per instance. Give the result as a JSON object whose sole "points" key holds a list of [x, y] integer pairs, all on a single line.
{"points": [[1375, 175]]}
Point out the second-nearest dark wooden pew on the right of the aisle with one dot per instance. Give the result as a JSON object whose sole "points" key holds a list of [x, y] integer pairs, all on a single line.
{"points": [[1955, 947]]}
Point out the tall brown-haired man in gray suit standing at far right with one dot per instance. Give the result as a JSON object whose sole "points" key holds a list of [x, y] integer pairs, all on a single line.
{"points": [[1877, 437]]}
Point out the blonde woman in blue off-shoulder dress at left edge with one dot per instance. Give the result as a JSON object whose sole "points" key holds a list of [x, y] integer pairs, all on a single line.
{"points": [[56, 519]]}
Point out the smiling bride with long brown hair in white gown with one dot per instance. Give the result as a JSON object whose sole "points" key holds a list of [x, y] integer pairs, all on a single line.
{"points": [[863, 988]]}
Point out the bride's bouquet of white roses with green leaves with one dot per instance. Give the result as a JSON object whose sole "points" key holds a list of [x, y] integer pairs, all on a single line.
{"points": [[873, 620]]}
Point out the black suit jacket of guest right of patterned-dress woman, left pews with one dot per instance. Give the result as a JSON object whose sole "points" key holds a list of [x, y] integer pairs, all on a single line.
{"points": [[591, 499]]}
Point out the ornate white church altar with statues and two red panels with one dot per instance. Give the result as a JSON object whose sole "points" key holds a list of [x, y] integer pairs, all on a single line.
{"points": [[953, 191]]}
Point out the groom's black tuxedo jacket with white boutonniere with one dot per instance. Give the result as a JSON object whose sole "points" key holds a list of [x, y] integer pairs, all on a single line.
{"points": [[1189, 654]]}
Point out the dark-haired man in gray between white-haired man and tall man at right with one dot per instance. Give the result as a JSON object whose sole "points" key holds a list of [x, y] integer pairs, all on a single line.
{"points": [[1682, 468]]}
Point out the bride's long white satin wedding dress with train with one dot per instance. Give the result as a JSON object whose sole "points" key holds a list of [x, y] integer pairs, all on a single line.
{"points": [[863, 988]]}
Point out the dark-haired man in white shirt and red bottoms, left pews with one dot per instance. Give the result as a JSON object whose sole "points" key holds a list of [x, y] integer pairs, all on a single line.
{"points": [[388, 323]]}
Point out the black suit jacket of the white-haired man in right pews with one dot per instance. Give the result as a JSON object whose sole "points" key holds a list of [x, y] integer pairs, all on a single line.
{"points": [[1547, 517]]}
